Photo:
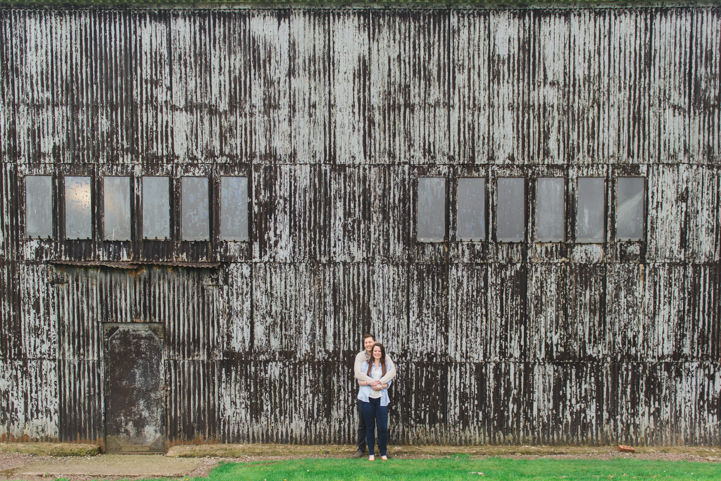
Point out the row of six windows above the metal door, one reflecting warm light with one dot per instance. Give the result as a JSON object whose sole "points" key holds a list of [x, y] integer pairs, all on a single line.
{"points": [[116, 205]]}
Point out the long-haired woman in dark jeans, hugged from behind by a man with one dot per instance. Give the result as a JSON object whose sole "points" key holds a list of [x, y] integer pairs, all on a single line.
{"points": [[373, 396]]}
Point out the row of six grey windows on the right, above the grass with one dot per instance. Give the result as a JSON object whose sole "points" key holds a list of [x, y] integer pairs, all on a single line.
{"points": [[550, 209]]}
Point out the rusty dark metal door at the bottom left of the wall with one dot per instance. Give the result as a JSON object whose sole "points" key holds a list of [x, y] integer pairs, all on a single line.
{"points": [[134, 388]]}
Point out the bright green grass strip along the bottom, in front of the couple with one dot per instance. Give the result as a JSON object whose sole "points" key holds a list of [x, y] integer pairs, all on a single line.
{"points": [[467, 468]]}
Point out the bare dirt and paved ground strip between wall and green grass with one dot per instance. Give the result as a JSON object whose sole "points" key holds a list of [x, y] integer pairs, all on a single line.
{"points": [[28, 461]]}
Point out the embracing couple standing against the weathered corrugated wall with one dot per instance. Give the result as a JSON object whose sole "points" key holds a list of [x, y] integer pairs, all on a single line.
{"points": [[374, 372]]}
